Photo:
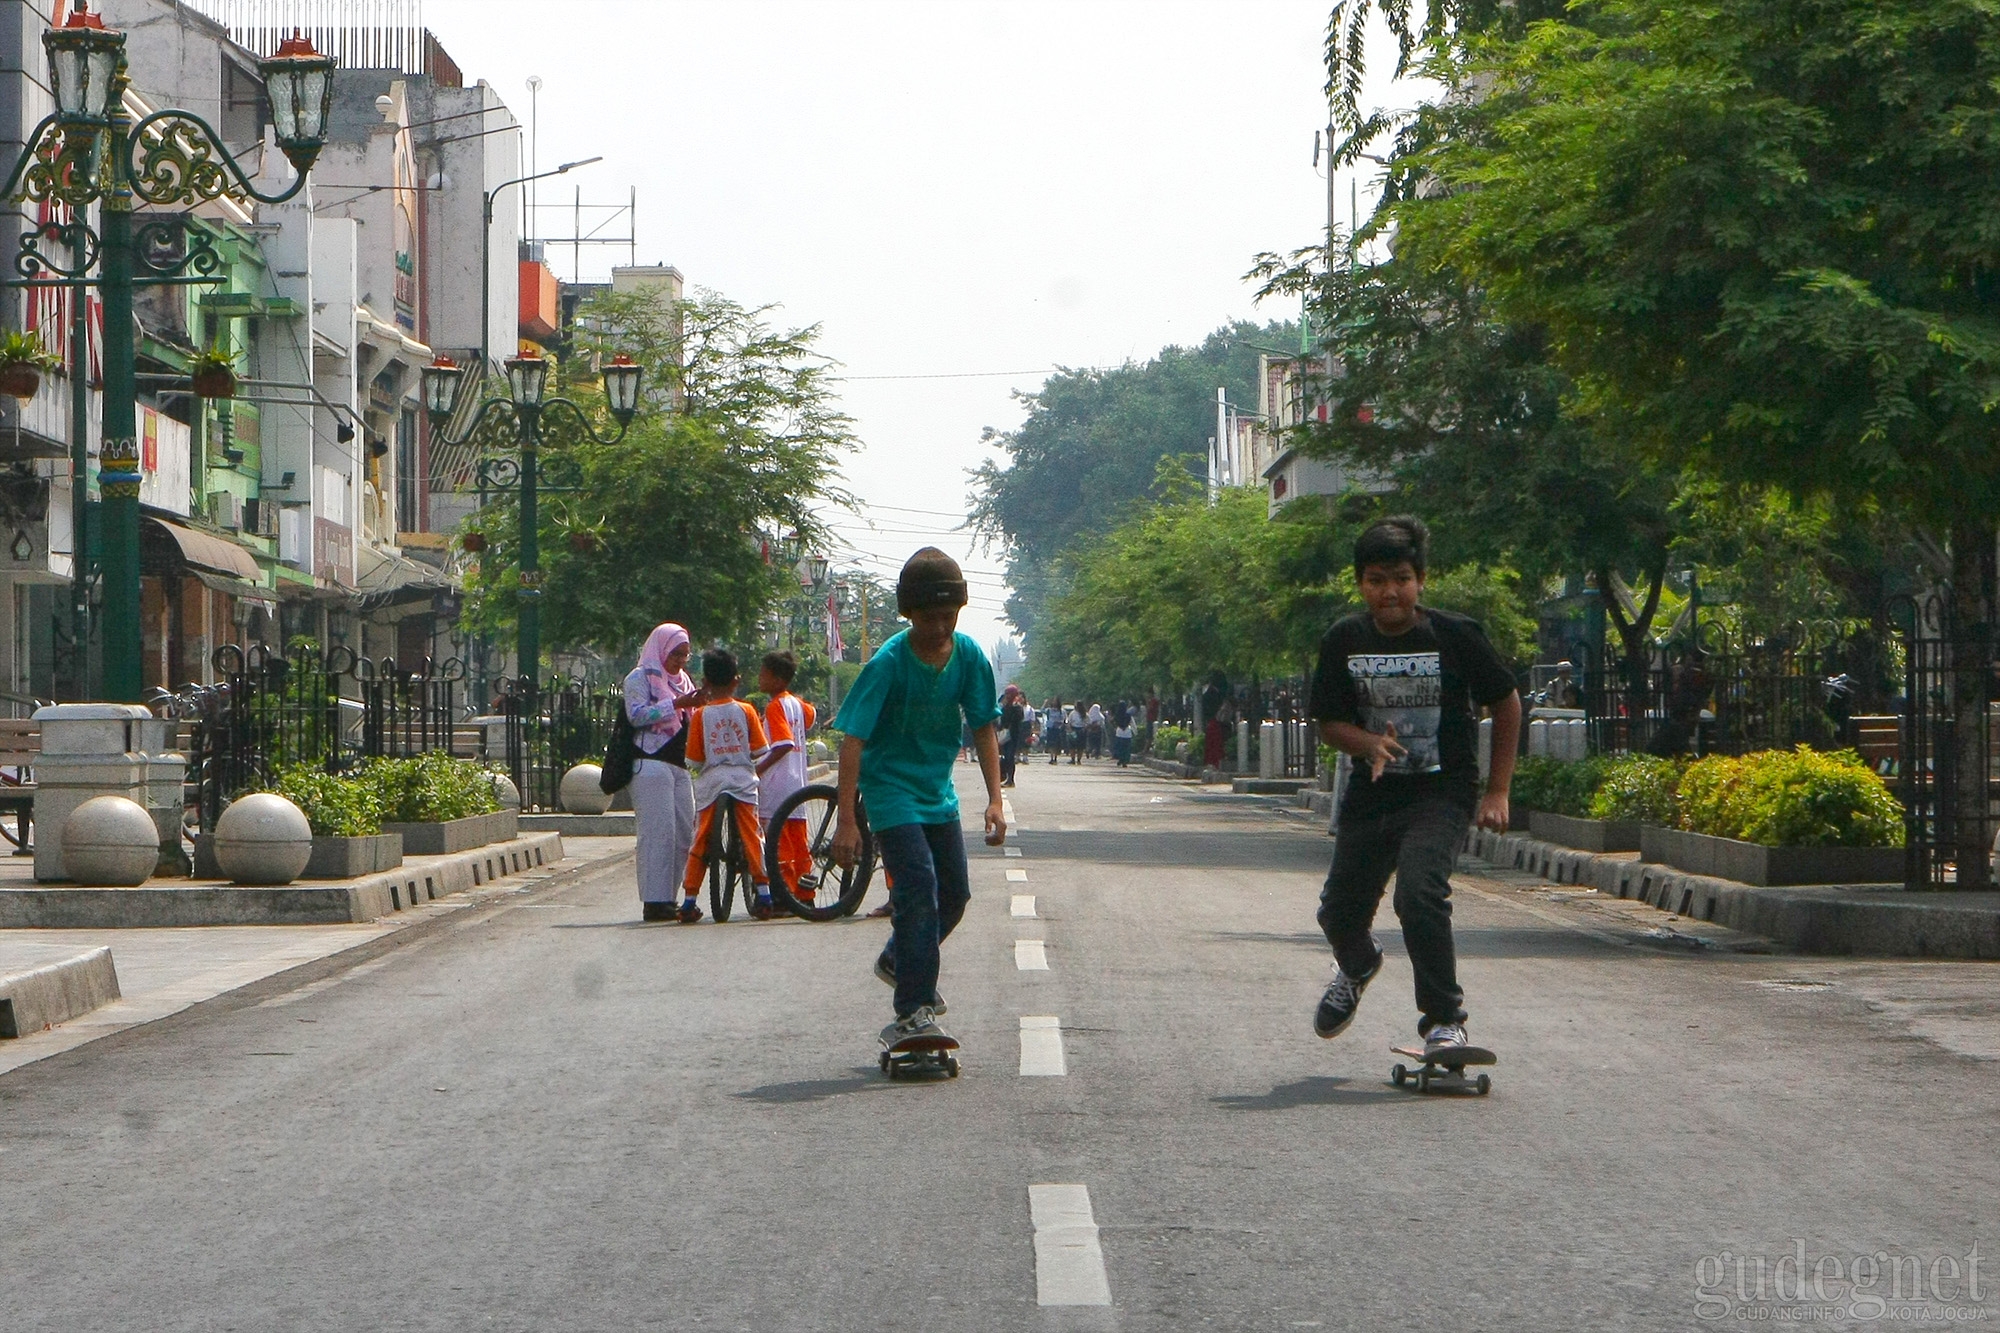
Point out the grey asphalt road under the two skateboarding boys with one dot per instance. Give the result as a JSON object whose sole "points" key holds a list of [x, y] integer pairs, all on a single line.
{"points": [[557, 1118]]}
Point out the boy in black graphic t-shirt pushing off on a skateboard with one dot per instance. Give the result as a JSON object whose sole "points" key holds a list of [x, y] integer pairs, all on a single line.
{"points": [[1397, 690]]}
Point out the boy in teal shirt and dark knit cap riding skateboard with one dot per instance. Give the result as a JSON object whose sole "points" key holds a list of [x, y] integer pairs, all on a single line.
{"points": [[901, 728]]}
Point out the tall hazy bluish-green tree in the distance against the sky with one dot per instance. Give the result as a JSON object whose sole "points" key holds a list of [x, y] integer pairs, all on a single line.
{"points": [[1093, 443]]}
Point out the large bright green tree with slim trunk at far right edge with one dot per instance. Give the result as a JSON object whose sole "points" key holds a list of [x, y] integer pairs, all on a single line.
{"points": [[1759, 235]]}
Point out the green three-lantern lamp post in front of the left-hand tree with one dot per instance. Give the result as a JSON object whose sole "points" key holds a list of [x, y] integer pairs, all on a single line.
{"points": [[527, 401]]}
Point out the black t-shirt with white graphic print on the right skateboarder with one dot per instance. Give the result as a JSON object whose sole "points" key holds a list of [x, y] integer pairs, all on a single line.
{"points": [[1425, 684]]}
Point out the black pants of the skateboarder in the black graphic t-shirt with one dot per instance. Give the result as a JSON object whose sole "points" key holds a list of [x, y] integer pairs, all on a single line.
{"points": [[1419, 846]]}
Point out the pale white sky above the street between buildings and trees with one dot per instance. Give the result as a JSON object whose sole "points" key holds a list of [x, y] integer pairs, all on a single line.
{"points": [[961, 195]]}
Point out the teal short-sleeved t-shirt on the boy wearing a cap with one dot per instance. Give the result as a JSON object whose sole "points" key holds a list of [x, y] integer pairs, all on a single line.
{"points": [[909, 722]]}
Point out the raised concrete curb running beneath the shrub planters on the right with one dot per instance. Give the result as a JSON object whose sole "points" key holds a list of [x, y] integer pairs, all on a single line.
{"points": [[1827, 920]]}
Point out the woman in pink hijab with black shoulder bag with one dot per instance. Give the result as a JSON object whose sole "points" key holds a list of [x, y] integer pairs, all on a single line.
{"points": [[659, 696]]}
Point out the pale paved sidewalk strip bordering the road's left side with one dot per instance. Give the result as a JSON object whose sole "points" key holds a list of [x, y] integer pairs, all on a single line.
{"points": [[163, 972]]}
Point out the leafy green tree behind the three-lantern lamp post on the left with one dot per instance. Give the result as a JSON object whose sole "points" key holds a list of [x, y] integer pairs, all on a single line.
{"points": [[739, 437]]}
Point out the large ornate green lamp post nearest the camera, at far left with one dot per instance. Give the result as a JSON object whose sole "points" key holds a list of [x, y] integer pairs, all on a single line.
{"points": [[91, 153]]}
